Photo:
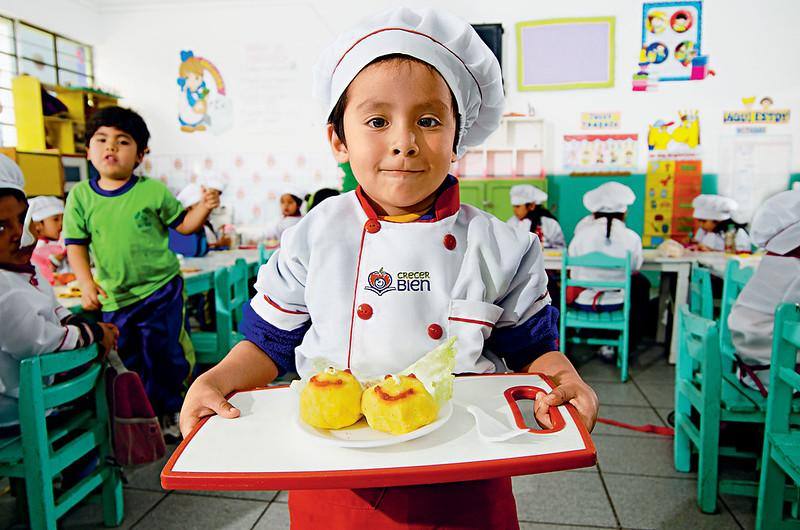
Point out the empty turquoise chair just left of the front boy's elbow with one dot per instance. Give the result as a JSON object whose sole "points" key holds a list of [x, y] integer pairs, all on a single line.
{"points": [[230, 294]]}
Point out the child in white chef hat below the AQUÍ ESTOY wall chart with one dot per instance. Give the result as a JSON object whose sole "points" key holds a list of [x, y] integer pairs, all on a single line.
{"points": [[717, 231]]}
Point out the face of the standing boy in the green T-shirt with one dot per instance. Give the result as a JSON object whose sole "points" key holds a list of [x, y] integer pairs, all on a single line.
{"points": [[113, 153]]}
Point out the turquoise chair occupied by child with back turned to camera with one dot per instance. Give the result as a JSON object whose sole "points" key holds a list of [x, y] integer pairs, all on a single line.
{"points": [[611, 320]]}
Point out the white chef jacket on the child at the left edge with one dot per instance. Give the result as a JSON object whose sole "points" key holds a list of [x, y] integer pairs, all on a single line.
{"points": [[30, 324]]}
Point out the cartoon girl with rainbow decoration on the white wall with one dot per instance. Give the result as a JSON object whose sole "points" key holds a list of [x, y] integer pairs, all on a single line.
{"points": [[202, 108]]}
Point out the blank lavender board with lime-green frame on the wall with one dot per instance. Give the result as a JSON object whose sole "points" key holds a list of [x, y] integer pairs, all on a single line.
{"points": [[565, 53]]}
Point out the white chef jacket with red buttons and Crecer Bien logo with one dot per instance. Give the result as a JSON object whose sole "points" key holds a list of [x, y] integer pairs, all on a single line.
{"points": [[381, 294]]}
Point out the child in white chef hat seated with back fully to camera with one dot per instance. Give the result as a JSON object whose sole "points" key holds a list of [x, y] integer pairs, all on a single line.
{"points": [[607, 233]]}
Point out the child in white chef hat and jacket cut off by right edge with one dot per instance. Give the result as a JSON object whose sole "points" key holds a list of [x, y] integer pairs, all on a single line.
{"points": [[776, 228]]}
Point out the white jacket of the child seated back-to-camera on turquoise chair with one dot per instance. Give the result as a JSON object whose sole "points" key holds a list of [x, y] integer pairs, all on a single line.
{"points": [[592, 238]]}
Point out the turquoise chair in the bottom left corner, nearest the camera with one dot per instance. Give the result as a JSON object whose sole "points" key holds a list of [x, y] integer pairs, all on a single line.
{"points": [[43, 451]]}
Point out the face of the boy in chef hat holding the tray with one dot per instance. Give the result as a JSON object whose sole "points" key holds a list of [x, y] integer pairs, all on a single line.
{"points": [[399, 127]]}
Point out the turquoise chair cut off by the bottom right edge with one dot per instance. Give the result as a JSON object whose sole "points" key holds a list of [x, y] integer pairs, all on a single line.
{"points": [[781, 455]]}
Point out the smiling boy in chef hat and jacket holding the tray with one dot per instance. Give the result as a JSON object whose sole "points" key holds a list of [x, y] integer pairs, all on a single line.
{"points": [[407, 91]]}
